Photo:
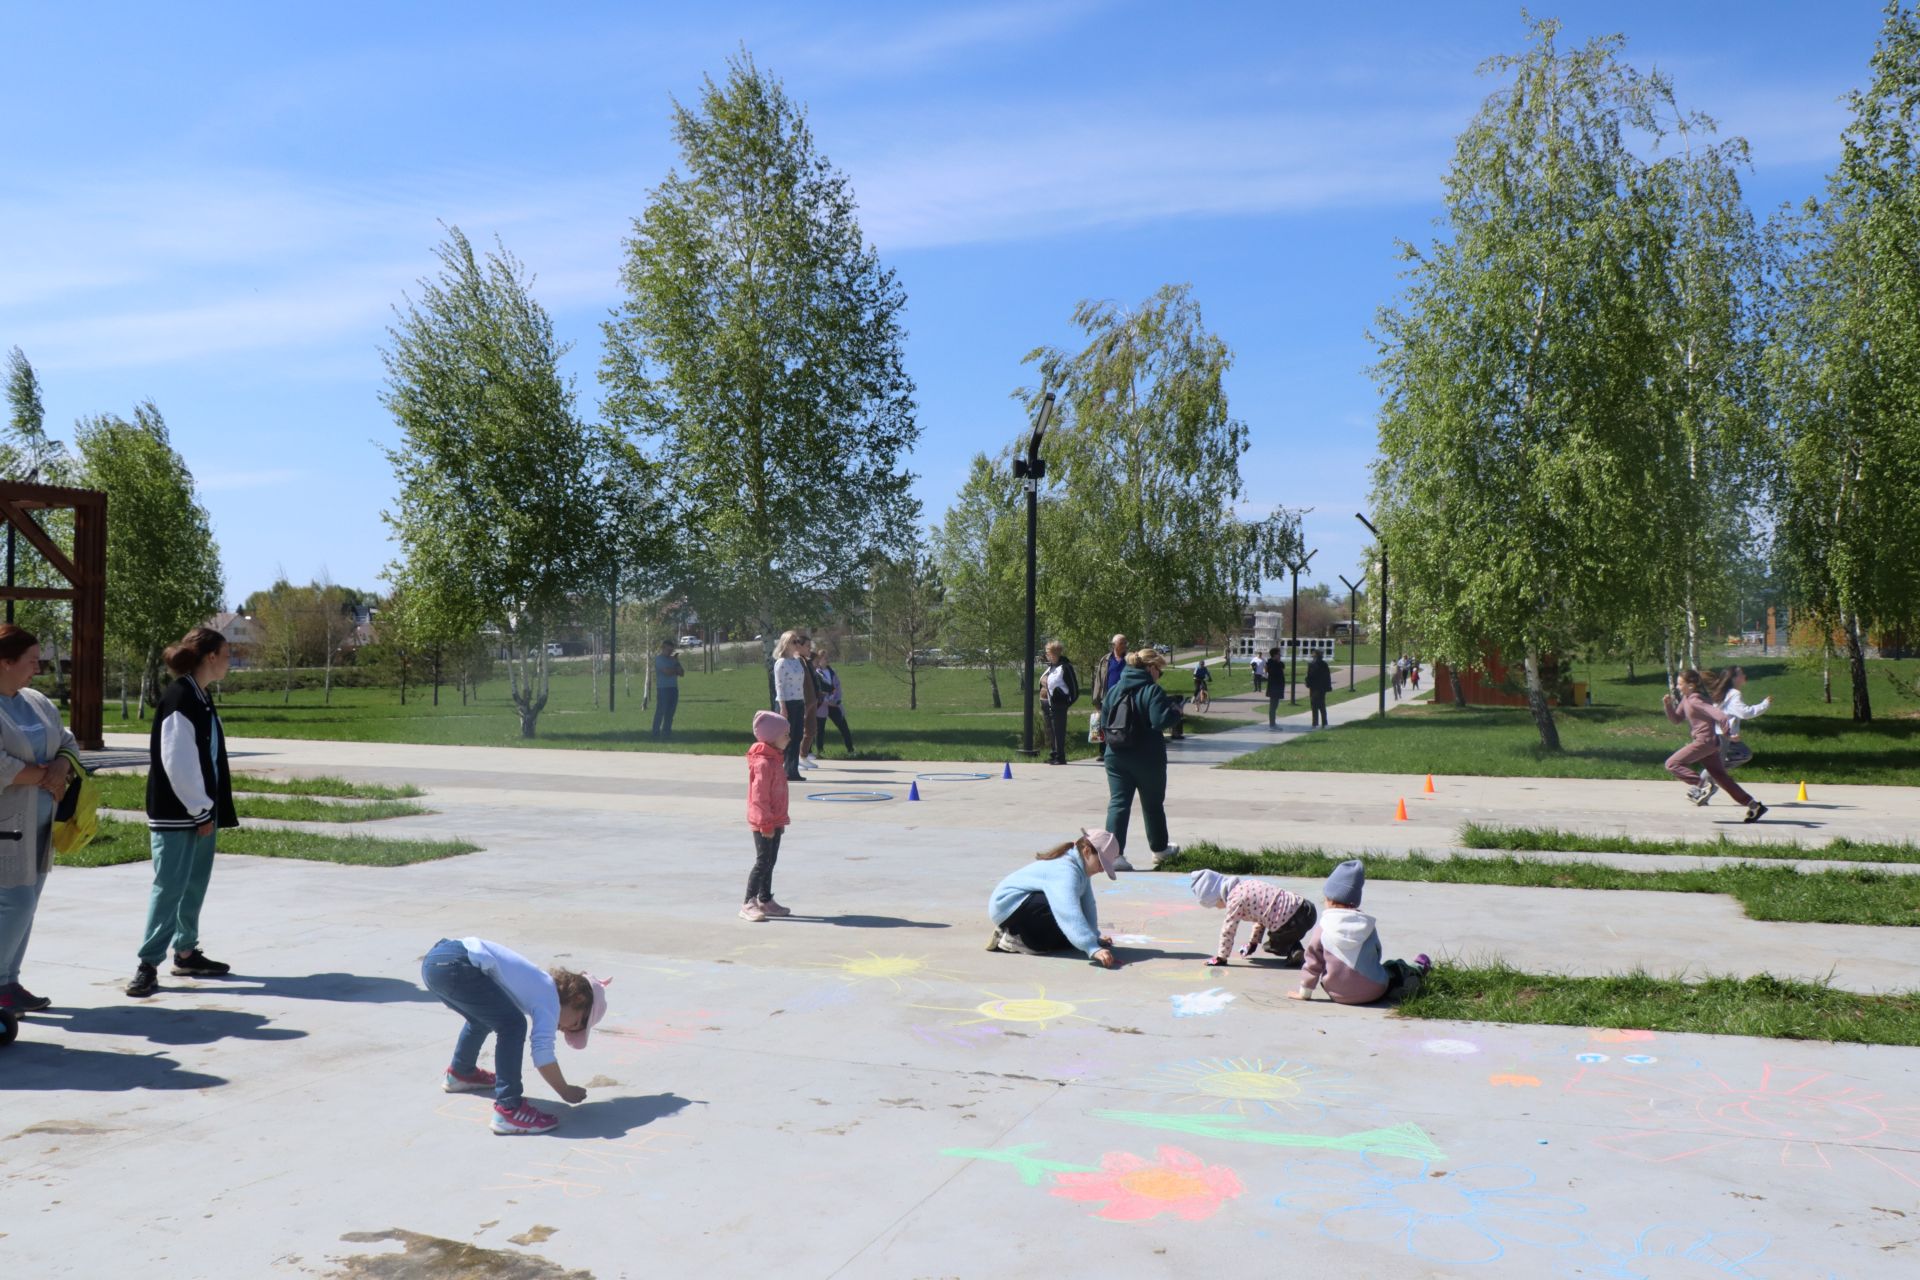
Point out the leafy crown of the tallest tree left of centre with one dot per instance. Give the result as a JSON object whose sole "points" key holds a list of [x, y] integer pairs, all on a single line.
{"points": [[759, 356]]}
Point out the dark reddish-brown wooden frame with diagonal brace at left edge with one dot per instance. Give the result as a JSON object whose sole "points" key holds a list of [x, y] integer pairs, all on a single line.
{"points": [[87, 586]]}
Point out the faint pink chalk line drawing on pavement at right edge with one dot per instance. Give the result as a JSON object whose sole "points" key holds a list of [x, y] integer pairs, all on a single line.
{"points": [[1798, 1118]]}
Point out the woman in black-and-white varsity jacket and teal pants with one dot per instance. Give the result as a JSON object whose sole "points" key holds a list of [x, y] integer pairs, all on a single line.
{"points": [[189, 795]]}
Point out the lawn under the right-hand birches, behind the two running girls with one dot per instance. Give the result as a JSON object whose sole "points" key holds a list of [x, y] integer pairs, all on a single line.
{"points": [[1627, 736]]}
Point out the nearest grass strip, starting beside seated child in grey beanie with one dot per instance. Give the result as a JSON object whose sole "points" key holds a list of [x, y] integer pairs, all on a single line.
{"points": [[1723, 1007]]}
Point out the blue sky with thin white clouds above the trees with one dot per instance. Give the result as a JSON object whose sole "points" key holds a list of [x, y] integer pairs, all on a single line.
{"points": [[218, 204]]}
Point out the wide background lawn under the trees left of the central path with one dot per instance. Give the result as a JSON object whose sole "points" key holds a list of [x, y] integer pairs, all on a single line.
{"points": [[955, 719]]}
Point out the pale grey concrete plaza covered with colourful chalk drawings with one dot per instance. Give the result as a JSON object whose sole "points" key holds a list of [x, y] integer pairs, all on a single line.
{"points": [[865, 1093]]}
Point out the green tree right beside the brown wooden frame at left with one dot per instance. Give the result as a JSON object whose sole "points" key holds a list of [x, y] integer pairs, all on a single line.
{"points": [[164, 569]]}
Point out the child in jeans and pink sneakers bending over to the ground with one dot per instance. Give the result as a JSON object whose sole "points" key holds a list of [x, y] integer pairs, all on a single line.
{"points": [[502, 993]]}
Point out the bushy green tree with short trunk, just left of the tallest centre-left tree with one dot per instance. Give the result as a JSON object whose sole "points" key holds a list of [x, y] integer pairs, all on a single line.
{"points": [[502, 508]]}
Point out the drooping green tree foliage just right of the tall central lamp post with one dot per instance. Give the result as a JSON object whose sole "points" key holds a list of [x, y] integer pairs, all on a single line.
{"points": [[1143, 473]]}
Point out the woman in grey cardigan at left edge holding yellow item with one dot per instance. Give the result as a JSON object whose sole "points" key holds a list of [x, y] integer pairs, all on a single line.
{"points": [[36, 765]]}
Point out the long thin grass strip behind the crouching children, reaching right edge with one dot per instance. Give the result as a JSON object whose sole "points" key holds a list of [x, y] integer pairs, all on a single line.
{"points": [[1838, 897]]}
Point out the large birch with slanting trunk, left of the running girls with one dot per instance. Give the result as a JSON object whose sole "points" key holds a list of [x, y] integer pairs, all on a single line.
{"points": [[1516, 431]]}
